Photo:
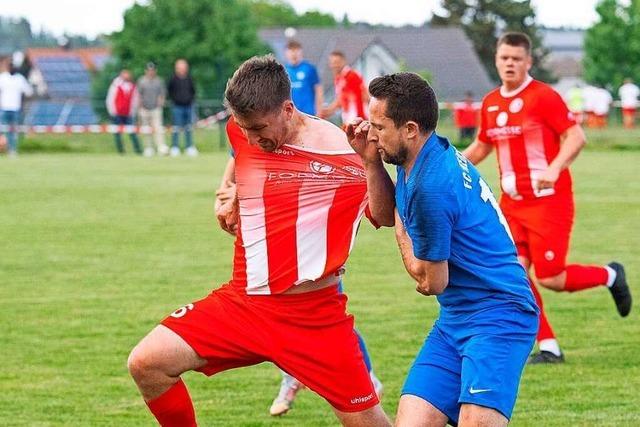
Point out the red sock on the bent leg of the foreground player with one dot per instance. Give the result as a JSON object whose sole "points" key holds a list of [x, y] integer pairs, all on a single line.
{"points": [[173, 408]]}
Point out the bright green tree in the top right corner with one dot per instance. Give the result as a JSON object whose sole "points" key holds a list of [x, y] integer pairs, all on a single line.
{"points": [[612, 45]]}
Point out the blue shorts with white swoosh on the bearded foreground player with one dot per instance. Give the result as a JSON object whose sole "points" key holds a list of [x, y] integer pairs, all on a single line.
{"points": [[476, 359]]}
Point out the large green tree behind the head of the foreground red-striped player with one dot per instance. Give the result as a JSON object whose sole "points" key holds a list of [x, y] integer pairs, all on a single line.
{"points": [[214, 36]]}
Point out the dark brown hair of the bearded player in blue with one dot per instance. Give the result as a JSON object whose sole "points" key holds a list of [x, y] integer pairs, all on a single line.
{"points": [[409, 98]]}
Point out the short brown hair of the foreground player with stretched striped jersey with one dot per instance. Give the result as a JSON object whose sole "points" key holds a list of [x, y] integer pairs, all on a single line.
{"points": [[260, 85]]}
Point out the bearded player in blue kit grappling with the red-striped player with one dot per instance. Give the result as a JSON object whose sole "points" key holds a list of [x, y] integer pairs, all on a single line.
{"points": [[456, 245]]}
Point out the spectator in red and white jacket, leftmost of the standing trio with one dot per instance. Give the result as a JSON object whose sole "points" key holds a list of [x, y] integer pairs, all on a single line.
{"points": [[121, 103]]}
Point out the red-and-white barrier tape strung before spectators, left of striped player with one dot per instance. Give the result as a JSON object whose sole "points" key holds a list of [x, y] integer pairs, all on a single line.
{"points": [[145, 130]]}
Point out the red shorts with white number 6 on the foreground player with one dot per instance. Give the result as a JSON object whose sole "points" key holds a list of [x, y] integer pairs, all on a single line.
{"points": [[308, 335]]}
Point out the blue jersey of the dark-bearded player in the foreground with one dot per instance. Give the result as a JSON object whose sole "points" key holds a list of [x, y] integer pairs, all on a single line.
{"points": [[450, 214]]}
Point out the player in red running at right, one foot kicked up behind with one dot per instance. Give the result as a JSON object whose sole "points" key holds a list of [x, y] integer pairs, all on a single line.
{"points": [[537, 138]]}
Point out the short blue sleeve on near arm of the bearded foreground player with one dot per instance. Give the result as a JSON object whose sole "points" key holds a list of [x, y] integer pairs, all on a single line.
{"points": [[431, 224]]}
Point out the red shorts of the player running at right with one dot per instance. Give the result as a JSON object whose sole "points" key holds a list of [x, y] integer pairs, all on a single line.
{"points": [[541, 230]]}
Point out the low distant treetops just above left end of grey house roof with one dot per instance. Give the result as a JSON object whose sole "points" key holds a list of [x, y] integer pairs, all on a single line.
{"points": [[278, 13]]}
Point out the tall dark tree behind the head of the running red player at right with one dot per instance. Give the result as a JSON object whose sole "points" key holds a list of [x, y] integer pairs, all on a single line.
{"points": [[484, 20]]}
